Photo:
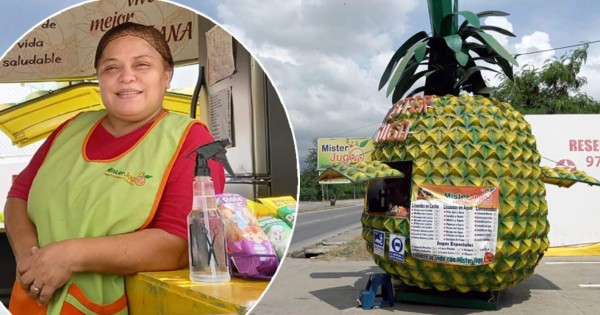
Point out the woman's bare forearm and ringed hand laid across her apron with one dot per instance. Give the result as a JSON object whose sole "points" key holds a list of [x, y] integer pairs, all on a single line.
{"points": [[49, 268]]}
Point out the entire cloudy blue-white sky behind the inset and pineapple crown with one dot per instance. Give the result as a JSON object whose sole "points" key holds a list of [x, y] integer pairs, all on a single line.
{"points": [[326, 56]]}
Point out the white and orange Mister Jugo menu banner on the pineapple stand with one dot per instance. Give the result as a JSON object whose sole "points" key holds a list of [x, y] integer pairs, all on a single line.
{"points": [[454, 224]]}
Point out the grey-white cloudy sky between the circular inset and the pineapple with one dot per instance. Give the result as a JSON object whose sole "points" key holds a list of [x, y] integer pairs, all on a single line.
{"points": [[325, 57]]}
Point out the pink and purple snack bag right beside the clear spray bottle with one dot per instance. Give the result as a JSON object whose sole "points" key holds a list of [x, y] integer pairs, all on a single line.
{"points": [[250, 251]]}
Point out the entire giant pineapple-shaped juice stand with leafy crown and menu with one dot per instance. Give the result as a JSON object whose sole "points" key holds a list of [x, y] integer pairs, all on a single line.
{"points": [[455, 209]]}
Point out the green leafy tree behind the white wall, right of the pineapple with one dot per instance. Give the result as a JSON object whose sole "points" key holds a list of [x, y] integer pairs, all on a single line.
{"points": [[552, 89]]}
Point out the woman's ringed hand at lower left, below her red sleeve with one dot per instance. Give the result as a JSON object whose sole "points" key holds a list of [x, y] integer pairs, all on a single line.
{"points": [[46, 270]]}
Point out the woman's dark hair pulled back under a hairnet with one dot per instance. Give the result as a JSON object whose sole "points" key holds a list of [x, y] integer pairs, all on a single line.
{"points": [[148, 33]]}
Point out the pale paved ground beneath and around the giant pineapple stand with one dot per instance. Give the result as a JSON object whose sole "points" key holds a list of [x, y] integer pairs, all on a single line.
{"points": [[559, 285]]}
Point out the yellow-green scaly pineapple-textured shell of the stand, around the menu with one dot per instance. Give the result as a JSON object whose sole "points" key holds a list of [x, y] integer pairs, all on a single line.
{"points": [[469, 141]]}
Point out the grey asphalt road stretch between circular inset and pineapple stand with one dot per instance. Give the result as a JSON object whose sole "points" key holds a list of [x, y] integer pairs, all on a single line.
{"points": [[312, 227]]}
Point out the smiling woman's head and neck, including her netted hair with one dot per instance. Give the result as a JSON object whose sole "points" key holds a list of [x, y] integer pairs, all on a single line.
{"points": [[134, 76]]}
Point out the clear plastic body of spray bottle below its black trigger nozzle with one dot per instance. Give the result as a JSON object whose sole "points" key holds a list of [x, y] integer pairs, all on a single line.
{"points": [[206, 231]]}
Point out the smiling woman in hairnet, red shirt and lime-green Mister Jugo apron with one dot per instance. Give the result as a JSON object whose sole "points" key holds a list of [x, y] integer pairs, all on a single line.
{"points": [[133, 78]]}
